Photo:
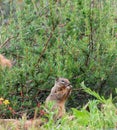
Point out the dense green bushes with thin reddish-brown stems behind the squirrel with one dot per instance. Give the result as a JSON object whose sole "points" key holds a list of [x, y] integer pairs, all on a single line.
{"points": [[45, 39]]}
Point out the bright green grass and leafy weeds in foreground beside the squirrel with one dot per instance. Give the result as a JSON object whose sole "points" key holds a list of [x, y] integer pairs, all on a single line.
{"points": [[97, 114]]}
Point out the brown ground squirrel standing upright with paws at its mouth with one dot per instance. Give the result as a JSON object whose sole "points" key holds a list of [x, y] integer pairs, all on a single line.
{"points": [[59, 94]]}
